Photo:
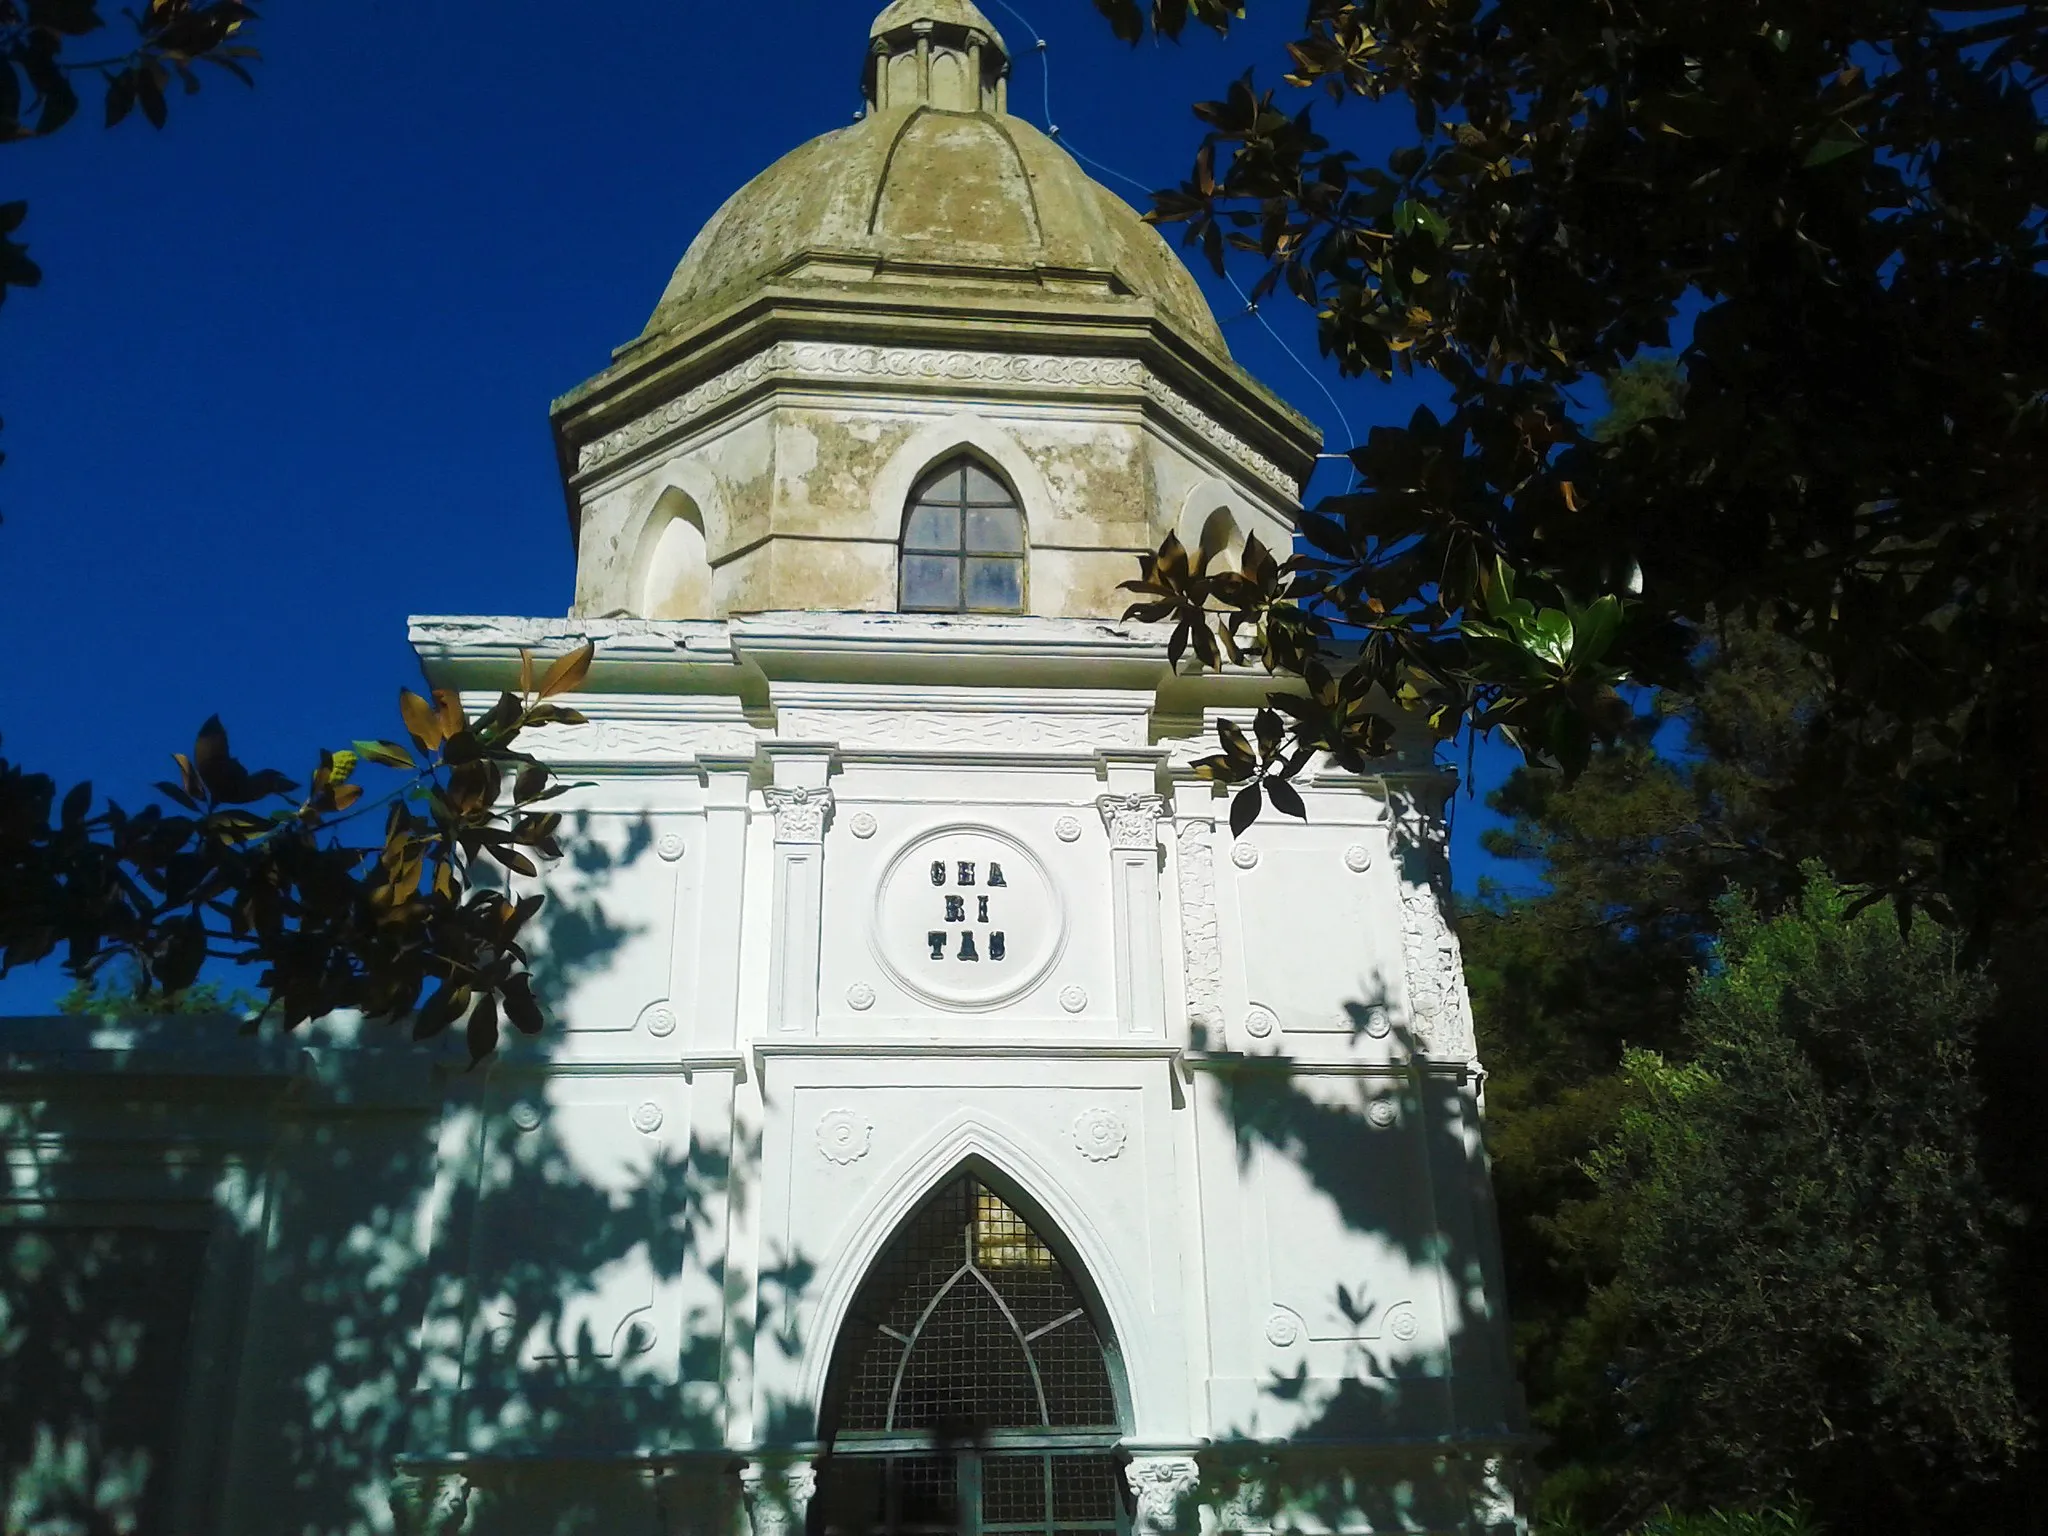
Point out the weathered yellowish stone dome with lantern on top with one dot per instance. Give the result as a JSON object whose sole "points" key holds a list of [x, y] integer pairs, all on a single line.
{"points": [[964, 202]]}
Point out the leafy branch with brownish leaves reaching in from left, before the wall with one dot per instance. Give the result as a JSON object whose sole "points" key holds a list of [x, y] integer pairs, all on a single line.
{"points": [[253, 869]]}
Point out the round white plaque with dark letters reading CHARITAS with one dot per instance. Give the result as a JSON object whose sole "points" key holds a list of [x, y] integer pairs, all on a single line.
{"points": [[968, 919]]}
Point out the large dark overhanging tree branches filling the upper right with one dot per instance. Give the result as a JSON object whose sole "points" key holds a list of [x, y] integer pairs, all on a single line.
{"points": [[1848, 204]]}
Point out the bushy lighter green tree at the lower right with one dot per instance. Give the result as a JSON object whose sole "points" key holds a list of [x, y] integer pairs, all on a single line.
{"points": [[1807, 1254]]}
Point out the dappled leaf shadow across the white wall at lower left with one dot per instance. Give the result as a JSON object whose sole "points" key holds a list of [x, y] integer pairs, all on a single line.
{"points": [[296, 1310]]}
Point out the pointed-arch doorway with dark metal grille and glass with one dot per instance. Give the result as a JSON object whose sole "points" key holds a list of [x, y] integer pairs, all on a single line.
{"points": [[972, 1390]]}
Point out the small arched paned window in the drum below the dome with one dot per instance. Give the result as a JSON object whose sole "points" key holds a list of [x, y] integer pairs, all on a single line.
{"points": [[964, 544]]}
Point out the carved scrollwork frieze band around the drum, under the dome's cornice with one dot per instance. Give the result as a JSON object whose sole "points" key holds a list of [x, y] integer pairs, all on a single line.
{"points": [[916, 366]]}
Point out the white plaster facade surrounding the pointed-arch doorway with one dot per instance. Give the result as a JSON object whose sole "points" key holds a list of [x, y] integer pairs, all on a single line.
{"points": [[552, 1283]]}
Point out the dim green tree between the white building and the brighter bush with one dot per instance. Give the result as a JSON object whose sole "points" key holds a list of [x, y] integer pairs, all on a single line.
{"points": [[1633, 859]]}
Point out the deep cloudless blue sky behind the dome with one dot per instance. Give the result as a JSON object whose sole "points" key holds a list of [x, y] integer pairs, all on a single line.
{"points": [[288, 376]]}
